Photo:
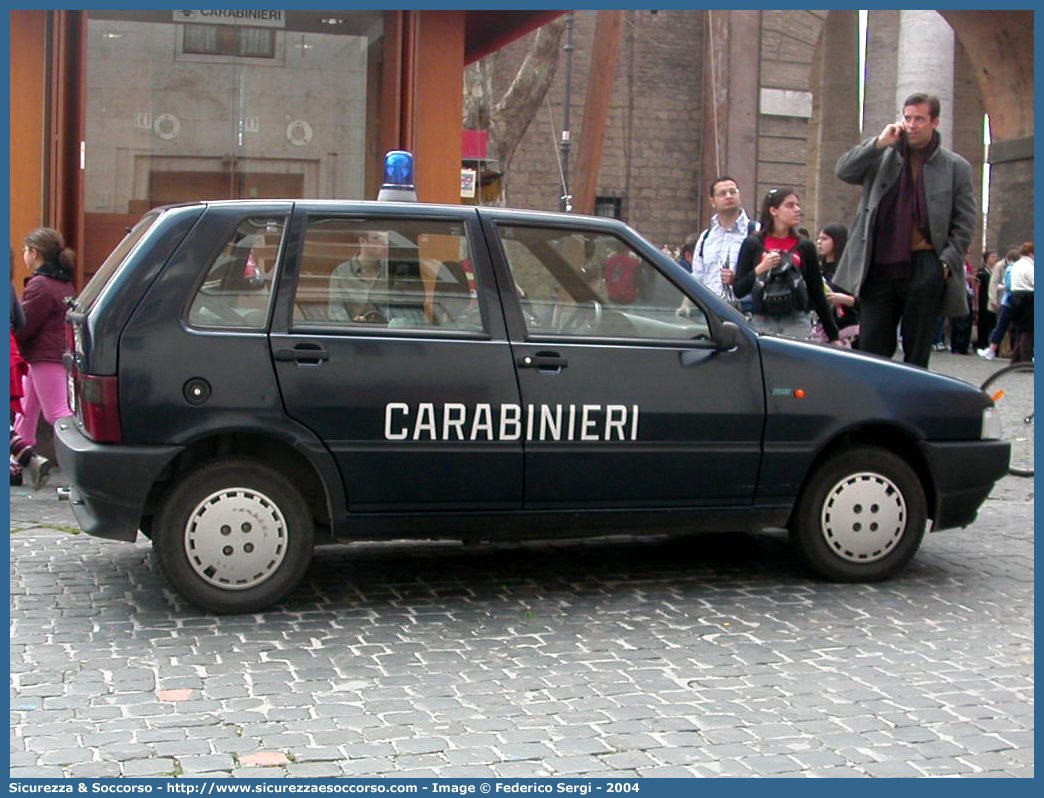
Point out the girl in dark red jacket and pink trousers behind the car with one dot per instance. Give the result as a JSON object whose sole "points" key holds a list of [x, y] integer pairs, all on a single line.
{"points": [[43, 339]]}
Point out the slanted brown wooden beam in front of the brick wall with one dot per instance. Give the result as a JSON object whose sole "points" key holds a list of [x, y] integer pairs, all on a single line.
{"points": [[604, 54]]}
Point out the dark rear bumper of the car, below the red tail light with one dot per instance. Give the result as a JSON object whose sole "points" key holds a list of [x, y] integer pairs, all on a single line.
{"points": [[110, 483]]}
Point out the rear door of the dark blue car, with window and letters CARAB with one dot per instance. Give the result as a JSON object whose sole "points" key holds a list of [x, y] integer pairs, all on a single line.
{"points": [[393, 351]]}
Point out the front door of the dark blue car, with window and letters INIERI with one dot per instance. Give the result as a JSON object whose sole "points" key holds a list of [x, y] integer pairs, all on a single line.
{"points": [[629, 402]]}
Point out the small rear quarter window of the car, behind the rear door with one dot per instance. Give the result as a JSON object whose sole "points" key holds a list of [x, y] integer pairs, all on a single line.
{"points": [[238, 291]]}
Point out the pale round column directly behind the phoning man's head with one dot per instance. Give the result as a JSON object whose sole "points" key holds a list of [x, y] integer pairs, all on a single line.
{"points": [[926, 64]]}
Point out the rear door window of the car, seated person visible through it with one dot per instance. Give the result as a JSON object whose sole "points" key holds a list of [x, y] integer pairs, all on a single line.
{"points": [[387, 274]]}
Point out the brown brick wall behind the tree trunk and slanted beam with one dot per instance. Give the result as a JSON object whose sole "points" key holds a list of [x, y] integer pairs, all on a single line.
{"points": [[651, 153]]}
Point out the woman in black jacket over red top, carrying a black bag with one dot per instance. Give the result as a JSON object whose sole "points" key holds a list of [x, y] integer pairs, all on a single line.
{"points": [[781, 272]]}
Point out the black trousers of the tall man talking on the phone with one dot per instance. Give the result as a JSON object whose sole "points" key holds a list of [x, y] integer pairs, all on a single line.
{"points": [[910, 306]]}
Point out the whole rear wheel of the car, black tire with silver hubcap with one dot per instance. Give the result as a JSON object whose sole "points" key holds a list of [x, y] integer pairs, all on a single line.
{"points": [[233, 536]]}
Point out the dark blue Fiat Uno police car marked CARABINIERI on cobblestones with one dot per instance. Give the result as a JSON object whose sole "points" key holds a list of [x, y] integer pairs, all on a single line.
{"points": [[251, 380]]}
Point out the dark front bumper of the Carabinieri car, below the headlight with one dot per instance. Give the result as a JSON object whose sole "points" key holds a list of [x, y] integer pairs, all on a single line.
{"points": [[964, 474]]}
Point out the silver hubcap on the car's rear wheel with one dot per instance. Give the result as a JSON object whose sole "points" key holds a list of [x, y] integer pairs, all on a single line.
{"points": [[236, 538]]}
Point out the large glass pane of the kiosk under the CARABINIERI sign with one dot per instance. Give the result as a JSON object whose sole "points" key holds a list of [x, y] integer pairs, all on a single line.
{"points": [[224, 105]]}
